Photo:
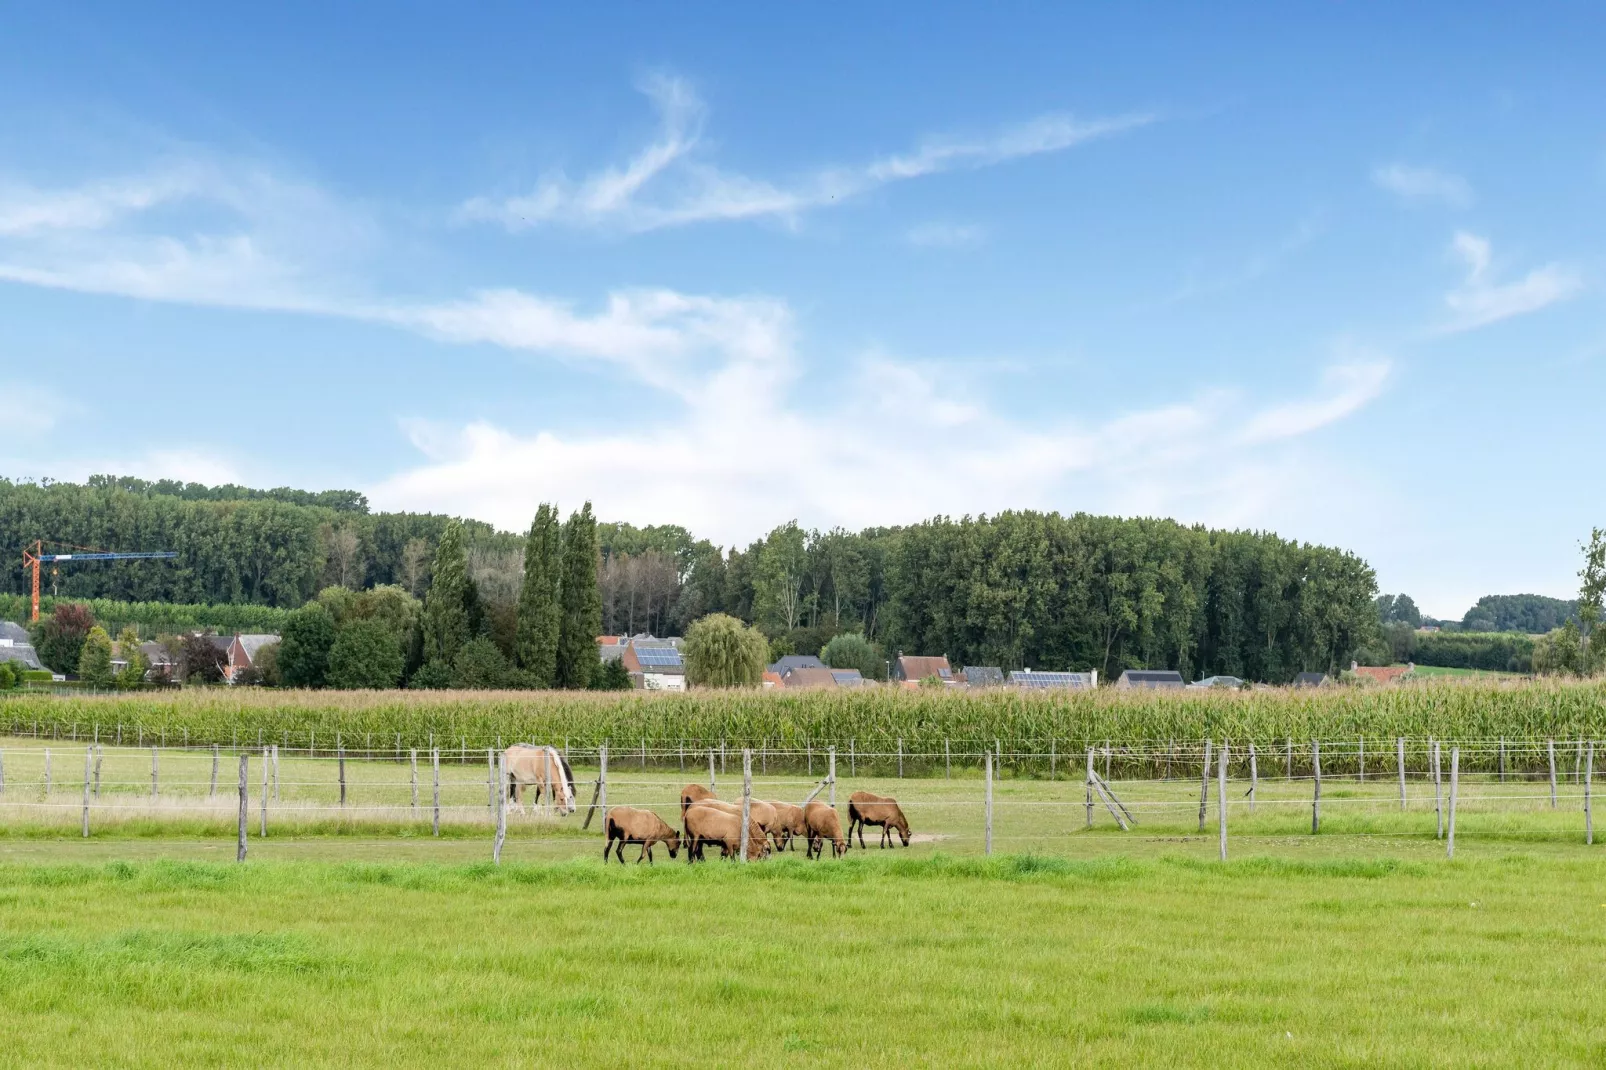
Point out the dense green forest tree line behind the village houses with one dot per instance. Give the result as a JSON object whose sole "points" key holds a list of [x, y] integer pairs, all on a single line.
{"points": [[1014, 590]]}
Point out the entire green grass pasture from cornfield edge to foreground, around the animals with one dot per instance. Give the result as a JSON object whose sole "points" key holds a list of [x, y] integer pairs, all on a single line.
{"points": [[354, 937]]}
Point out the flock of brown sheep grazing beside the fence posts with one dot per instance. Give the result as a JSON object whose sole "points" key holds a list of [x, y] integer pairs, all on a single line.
{"points": [[711, 820]]}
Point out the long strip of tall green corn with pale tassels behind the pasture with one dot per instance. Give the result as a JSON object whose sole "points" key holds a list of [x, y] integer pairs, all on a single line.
{"points": [[871, 722]]}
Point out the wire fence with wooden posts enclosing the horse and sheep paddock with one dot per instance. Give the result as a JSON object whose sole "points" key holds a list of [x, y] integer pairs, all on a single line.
{"points": [[966, 798]]}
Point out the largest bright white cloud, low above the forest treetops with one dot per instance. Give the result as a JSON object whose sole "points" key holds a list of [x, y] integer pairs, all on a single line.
{"points": [[748, 439]]}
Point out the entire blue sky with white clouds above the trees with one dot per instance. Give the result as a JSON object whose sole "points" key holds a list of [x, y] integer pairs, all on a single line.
{"points": [[1332, 272]]}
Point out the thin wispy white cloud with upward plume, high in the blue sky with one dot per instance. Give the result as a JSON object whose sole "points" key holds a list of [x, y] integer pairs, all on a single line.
{"points": [[669, 186]]}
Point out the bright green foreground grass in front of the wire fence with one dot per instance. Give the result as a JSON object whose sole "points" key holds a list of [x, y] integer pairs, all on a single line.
{"points": [[1149, 958]]}
